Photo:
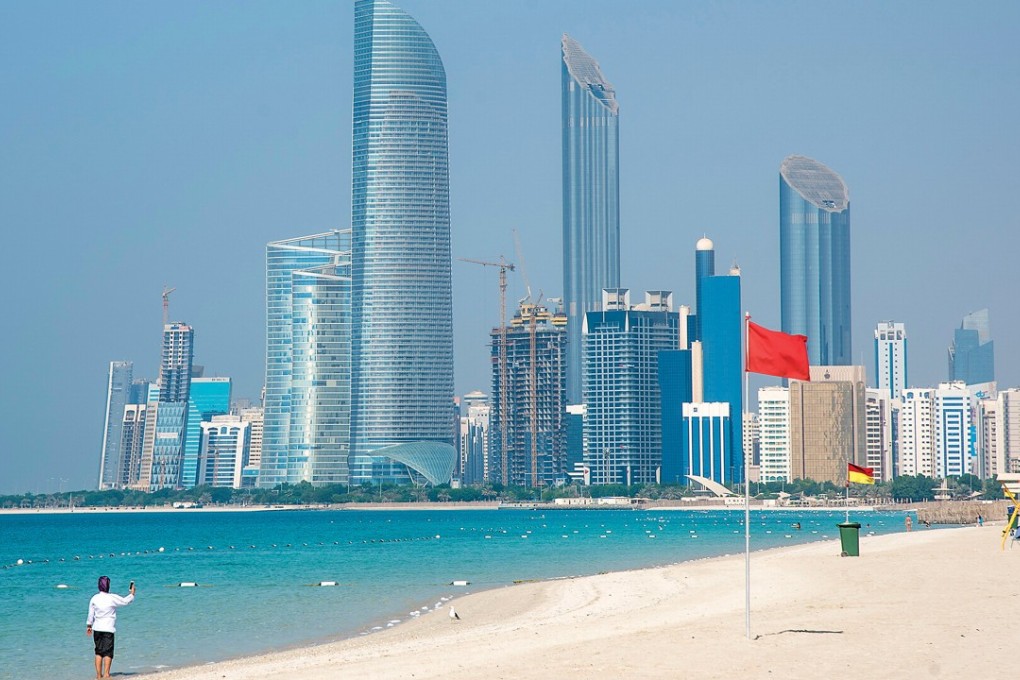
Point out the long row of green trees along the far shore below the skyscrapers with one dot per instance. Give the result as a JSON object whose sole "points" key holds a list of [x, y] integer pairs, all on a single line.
{"points": [[904, 489]]}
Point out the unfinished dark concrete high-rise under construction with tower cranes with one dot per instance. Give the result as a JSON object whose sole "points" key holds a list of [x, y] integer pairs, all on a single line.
{"points": [[528, 434]]}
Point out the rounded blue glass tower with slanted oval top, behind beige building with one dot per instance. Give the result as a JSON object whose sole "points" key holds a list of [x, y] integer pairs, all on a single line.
{"points": [[814, 255]]}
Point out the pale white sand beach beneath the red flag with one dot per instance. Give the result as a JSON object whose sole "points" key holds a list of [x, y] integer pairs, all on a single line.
{"points": [[929, 604]]}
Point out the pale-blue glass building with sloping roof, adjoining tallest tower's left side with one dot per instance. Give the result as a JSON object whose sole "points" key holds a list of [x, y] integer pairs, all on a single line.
{"points": [[308, 380]]}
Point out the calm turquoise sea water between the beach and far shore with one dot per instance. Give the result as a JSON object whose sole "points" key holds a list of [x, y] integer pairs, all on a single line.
{"points": [[256, 571]]}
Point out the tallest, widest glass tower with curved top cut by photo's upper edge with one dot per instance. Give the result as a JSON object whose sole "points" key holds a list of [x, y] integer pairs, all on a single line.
{"points": [[402, 307]]}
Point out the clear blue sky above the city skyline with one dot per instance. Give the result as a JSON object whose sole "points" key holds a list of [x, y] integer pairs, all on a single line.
{"points": [[144, 144]]}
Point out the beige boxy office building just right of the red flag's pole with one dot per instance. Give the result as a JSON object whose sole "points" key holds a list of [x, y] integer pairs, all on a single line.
{"points": [[828, 426]]}
